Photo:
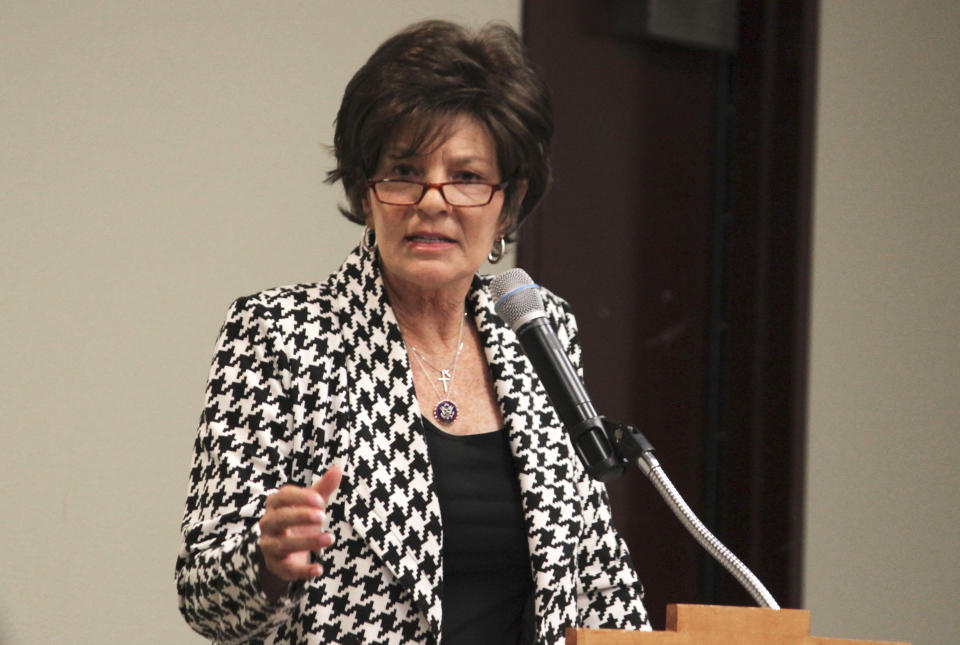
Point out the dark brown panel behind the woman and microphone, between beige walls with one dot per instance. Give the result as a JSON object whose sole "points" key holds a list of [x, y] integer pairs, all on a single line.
{"points": [[686, 275]]}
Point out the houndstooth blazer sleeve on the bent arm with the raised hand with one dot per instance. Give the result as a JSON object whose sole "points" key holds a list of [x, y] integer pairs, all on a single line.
{"points": [[242, 442]]}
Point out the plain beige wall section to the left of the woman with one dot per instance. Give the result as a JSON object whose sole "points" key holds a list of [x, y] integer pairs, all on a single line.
{"points": [[157, 160]]}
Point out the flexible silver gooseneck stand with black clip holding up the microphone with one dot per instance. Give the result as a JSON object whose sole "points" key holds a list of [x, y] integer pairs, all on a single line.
{"points": [[632, 447]]}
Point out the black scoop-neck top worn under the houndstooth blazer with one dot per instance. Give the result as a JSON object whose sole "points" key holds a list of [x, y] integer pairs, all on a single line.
{"points": [[487, 586]]}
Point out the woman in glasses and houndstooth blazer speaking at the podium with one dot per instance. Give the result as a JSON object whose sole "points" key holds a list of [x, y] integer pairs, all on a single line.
{"points": [[375, 461]]}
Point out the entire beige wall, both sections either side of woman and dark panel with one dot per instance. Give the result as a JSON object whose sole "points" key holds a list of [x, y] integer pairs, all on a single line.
{"points": [[160, 159]]}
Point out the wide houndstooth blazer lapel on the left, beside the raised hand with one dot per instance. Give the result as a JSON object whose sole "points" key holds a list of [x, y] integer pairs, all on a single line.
{"points": [[388, 496]]}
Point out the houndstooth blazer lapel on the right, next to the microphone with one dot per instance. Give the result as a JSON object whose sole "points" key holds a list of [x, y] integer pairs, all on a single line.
{"points": [[542, 455]]}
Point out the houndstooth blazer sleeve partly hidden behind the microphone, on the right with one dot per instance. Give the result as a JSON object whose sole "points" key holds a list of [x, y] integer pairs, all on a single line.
{"points": [[609, 593]]}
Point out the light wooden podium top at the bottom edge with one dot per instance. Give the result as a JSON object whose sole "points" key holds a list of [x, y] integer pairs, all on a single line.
{"points": [[716, 625]]}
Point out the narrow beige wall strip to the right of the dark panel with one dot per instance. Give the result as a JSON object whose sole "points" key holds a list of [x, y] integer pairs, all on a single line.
{"points": [[883, 511]]}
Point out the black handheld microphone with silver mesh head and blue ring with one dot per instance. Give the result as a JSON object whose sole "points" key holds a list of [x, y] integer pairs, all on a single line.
{"points": [[518, 303]]}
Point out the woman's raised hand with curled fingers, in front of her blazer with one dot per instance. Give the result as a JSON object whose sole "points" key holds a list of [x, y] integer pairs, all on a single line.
{"points": [[292, 527]]}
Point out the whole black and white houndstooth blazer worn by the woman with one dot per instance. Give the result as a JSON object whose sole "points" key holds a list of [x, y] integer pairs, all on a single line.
{"points": [[311, 375]]}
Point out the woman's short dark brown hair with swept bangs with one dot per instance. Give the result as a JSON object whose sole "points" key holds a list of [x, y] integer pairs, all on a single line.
{"points": [[421, 79]]}
